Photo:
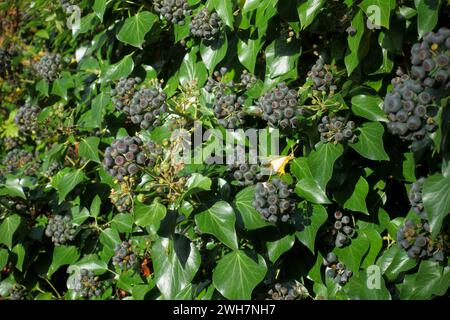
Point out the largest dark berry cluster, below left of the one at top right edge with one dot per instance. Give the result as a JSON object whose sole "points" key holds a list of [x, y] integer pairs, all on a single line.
{"points": [[409, 109]]}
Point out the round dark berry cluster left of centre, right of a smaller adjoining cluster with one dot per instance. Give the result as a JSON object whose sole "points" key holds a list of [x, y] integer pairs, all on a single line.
{"points": [[146, 107]]}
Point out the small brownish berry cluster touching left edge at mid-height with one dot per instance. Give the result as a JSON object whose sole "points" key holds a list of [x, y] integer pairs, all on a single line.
{"points": [[17, 160]]}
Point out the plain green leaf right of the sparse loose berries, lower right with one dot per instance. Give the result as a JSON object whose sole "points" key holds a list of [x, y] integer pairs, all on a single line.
{"points": [[352, 255]]}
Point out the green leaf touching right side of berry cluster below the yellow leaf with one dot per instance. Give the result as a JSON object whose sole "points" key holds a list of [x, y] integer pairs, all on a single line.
{"points": [[317, 218]]}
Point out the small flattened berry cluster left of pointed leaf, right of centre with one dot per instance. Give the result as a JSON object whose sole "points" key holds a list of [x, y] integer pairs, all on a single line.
{"points": [[337, 129]]}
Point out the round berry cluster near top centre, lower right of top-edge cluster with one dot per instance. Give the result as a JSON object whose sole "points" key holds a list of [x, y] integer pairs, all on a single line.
{"points": [[206, 25]]}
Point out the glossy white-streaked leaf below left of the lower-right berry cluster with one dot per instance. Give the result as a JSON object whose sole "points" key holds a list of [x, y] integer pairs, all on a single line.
{"points": [[394, 261]]}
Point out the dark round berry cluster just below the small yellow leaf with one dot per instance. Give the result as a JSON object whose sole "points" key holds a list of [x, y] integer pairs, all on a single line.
{"points": [[274, 200]]}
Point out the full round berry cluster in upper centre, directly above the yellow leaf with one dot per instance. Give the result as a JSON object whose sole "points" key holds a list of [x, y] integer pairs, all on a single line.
{"points": [[279, 107]]}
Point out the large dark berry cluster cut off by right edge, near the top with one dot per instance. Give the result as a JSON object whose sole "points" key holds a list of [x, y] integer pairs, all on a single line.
{"points": [[431, 60]]}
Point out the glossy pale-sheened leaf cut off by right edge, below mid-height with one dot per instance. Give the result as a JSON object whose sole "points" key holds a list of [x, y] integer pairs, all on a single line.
{"points": [[436, 199]]}
